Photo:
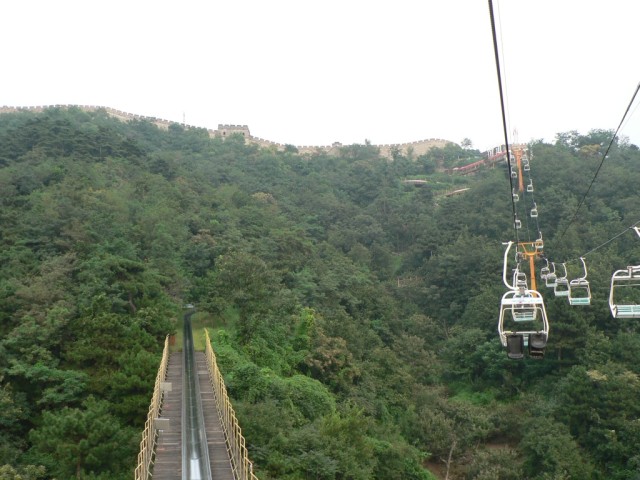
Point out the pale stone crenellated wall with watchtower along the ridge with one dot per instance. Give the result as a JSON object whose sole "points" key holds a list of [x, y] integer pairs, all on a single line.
{"points": [[417, 148]]}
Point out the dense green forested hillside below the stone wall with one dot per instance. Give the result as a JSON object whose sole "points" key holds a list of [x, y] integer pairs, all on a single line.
{"points": [[337, 369]]}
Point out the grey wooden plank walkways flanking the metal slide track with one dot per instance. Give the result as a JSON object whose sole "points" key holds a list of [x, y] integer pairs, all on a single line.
{"points": [[168, 461]]}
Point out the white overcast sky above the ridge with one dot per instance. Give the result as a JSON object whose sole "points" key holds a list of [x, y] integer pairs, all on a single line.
{"points": [[316, 72]]}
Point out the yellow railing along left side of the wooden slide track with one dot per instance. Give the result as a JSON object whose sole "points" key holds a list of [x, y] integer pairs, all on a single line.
{"points": [[149, 436]]}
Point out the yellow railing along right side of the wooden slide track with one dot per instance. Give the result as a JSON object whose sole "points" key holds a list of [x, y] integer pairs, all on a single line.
{"points": [[236, 447]]}
